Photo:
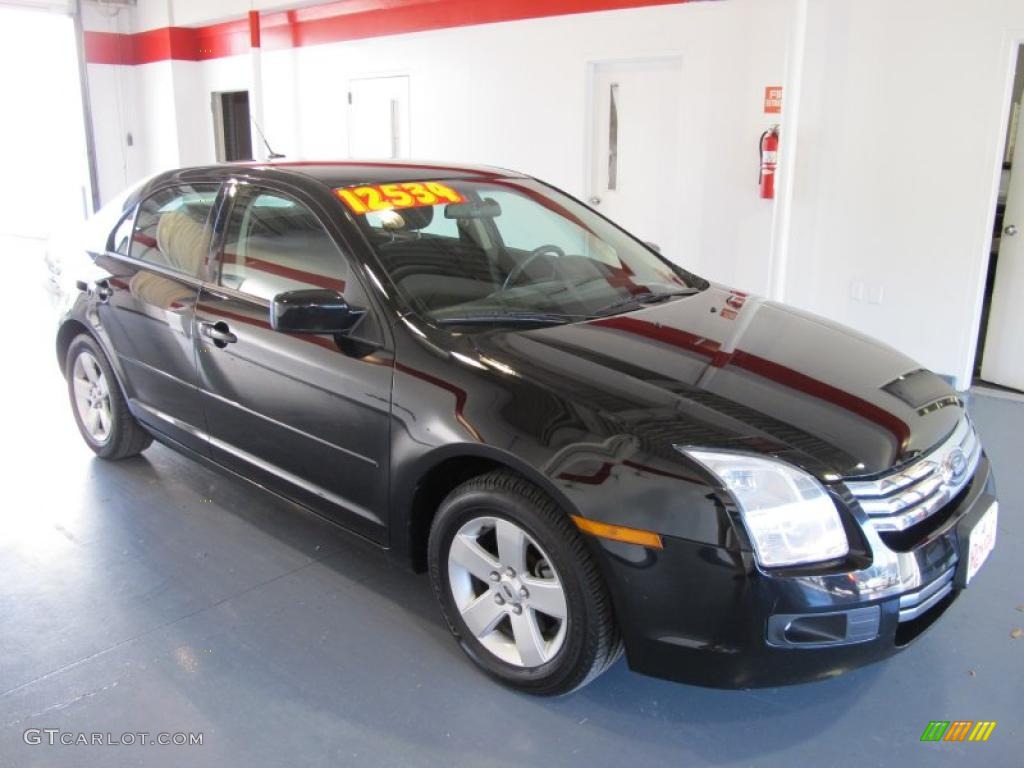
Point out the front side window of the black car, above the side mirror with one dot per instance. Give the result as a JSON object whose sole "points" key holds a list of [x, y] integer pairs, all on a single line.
{"points": [[275, 244]]}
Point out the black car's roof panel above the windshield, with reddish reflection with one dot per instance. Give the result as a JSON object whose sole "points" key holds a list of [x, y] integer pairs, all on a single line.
{"points": [[346, 174]]}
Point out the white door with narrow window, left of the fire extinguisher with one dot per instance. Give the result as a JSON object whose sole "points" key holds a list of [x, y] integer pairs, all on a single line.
{"points": [[636, 165]]}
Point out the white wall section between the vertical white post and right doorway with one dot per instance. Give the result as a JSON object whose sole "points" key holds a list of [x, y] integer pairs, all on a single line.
{"points": [[901, 140]]}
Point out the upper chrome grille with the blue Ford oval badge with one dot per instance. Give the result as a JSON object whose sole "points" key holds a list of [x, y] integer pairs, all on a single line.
{"points": [[903, 499]]}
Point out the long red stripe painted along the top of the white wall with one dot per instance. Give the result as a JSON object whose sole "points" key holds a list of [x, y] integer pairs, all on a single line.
{"points": [[331, 23]]}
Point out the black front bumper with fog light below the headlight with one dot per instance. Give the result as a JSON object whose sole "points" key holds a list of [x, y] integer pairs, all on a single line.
{"points": [[706, 615]]}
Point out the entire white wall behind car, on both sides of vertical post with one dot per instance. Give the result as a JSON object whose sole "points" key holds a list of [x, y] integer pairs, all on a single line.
{"points": [[902, 118]]}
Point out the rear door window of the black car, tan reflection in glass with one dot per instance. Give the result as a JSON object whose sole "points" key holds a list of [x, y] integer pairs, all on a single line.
{"points": [[174, 229]]}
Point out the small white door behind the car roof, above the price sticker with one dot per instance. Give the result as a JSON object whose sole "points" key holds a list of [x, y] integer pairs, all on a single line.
{"points": [[378, 118]]}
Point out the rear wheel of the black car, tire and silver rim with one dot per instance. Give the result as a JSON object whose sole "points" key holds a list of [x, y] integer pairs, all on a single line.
{"points": [[99, 405]]}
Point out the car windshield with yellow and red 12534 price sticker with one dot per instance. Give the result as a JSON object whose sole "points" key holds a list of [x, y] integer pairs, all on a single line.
{"points": [[510, 249]]}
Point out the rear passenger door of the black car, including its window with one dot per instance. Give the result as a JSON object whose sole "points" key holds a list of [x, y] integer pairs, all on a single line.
{"points": [[154, 266]]}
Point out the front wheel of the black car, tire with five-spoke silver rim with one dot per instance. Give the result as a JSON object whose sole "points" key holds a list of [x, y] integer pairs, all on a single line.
{"points": [[518, 637]]}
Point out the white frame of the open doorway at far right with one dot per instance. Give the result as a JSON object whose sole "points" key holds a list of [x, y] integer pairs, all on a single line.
{"points": [[1013, 41]]}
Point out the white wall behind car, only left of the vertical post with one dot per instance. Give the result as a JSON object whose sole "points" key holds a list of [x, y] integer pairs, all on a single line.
{"points": [[515, 96]]}
